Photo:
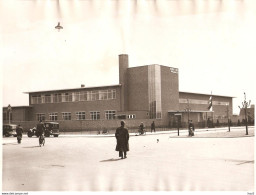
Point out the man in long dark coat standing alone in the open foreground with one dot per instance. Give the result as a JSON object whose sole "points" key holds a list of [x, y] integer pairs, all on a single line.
{"points": [[122, 138]]}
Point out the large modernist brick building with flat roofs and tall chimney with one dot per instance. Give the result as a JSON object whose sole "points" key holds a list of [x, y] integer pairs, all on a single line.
{"points": [[144, 93]]}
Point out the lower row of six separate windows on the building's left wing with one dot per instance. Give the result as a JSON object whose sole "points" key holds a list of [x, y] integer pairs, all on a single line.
{"points": [[94, 115]]}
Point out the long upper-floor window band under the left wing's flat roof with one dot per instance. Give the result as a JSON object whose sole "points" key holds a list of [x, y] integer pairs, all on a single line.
{"points": [[74, 96]]}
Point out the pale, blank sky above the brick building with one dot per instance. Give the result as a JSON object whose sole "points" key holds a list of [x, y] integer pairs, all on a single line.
{"points": [[211, 42]]}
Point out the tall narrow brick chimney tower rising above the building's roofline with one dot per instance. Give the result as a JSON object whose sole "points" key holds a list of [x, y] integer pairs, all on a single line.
{"points": [[123, 66]]}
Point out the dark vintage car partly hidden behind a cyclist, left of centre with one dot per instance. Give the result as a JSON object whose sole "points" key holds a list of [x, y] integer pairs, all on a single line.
{"points": [[51, 128]]}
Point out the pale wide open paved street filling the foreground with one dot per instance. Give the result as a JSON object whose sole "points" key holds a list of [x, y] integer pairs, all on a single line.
{"points": [[214, 160]]}
